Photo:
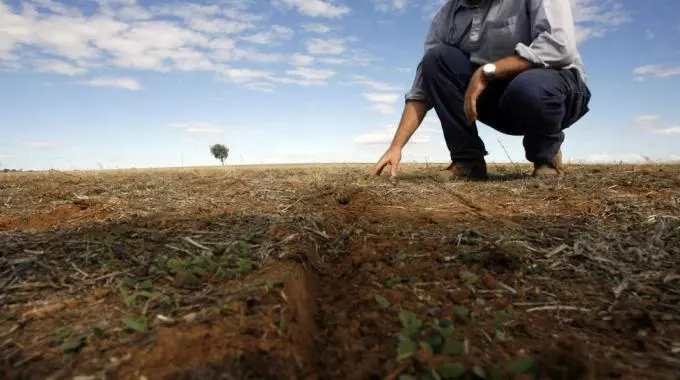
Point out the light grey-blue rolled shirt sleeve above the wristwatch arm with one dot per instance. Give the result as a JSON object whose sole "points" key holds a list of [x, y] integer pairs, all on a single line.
{"points": [[553, 33]]}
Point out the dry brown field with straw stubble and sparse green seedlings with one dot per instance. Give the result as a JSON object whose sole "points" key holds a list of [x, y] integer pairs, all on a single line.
{"points": [[320, 272]]}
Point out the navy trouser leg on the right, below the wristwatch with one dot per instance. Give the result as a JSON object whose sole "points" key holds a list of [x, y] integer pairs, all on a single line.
{"points": [[542, 103]]}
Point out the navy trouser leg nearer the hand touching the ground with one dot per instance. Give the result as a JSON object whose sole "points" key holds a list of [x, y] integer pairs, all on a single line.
{"points": [[446, 74]]}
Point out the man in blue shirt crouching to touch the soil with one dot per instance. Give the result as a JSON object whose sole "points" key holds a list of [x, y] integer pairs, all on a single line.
{"points": [[511, 64]]}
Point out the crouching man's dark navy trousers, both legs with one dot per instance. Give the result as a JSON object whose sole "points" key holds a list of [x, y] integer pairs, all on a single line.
{"points": [[537, 104]]}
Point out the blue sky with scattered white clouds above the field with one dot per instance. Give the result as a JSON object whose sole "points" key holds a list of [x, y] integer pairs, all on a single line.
{"points": [[125, 83]]}
